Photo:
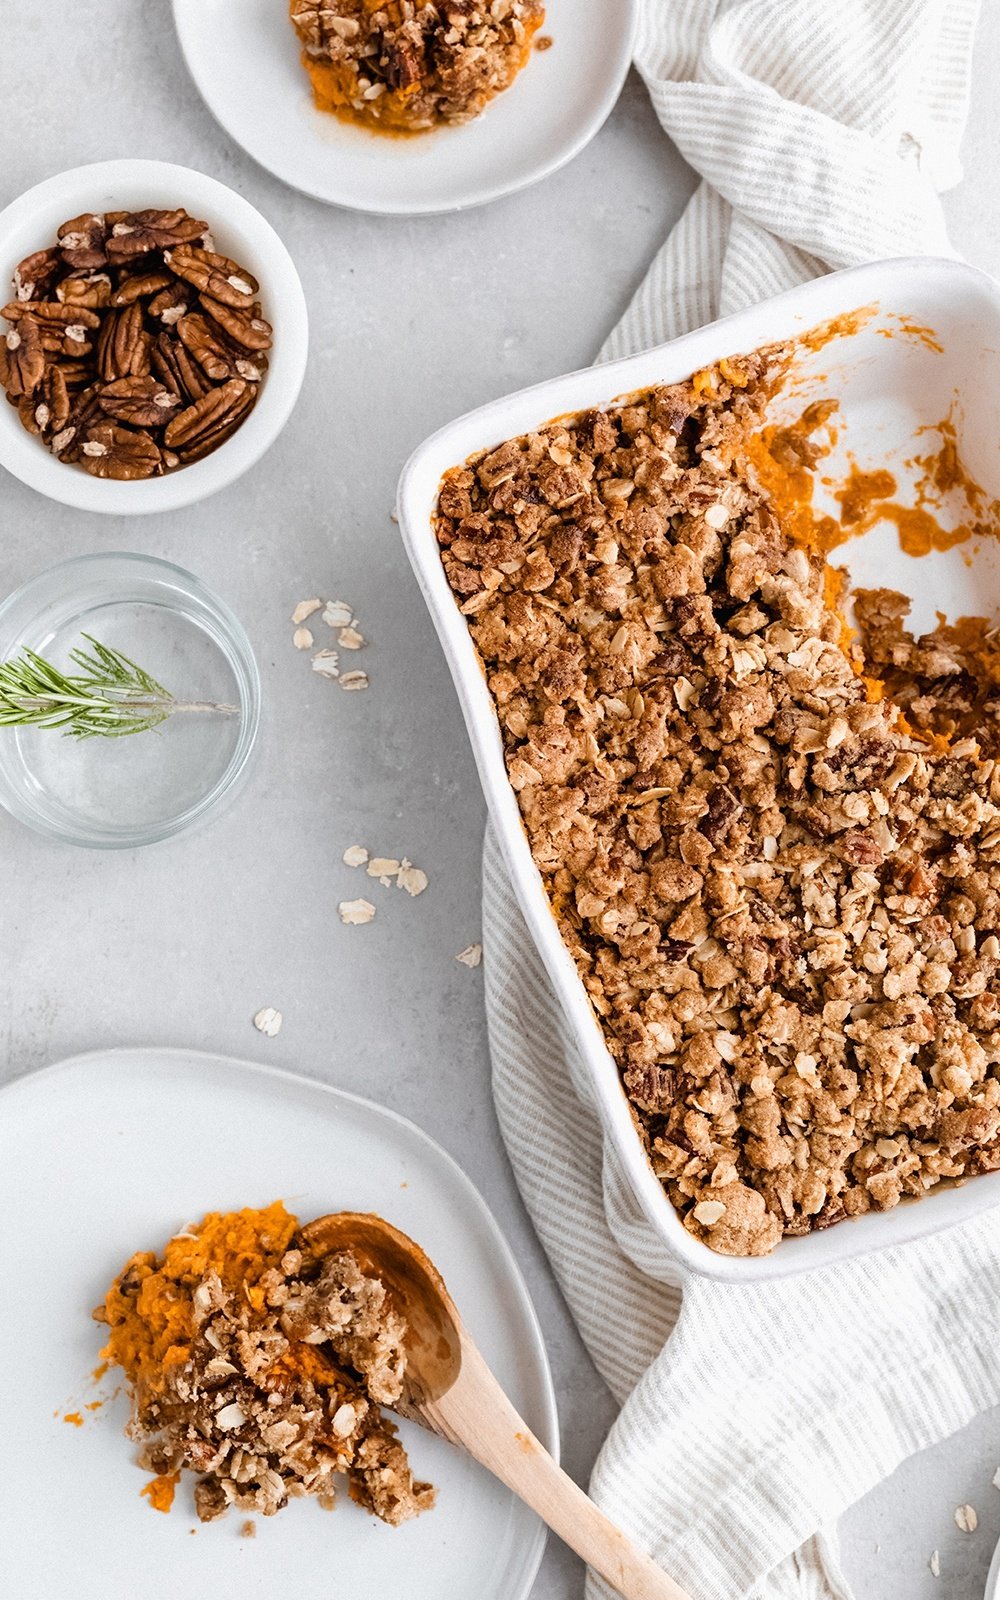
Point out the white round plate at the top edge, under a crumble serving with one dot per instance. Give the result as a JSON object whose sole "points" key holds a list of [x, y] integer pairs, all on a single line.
{"points": [[244, 57]]}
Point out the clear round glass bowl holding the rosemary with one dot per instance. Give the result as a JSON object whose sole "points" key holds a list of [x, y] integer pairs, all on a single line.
{"points": [[119, 793]]}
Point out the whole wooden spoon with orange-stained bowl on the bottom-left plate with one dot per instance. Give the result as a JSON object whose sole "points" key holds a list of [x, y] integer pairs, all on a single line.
{"points": [[450, 1391]]}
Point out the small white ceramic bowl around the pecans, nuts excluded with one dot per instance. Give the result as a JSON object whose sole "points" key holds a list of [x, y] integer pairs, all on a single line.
{"points": [[239, 230]]}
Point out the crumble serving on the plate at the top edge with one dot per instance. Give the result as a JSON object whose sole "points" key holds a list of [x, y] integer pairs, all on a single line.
{"points": [[407, 66]]}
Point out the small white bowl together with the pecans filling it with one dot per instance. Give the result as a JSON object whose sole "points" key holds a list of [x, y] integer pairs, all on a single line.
{"points": [[153, 337]]}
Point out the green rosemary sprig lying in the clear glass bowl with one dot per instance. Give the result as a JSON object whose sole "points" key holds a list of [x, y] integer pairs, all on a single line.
{"points": [[108, 698]]}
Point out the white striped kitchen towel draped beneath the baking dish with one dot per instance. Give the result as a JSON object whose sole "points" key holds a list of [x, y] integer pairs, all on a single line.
{"points": [[753, 1417]]}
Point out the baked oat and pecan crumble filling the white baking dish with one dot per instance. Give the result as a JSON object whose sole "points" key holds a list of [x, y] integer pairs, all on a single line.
{"points": [[780, 887]]}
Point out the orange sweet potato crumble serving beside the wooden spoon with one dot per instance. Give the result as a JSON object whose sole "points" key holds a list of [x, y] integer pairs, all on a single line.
{"points": [[262, 1369]]}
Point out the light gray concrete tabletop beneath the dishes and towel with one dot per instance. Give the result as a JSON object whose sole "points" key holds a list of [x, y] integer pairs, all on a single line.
{"points": [[414, 322]]}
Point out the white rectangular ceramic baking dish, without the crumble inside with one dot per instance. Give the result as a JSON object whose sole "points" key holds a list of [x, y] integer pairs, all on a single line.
{"points": [[892, 385]]}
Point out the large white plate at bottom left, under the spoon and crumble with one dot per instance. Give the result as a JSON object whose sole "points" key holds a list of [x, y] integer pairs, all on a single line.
{"points": [[113, 1153]]}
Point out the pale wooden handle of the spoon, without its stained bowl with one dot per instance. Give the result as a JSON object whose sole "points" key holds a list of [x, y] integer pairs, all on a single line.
{"points": [[478, 1415]]}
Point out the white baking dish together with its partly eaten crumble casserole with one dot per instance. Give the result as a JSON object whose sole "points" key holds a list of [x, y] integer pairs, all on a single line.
{"points": [[748, 804]]}
